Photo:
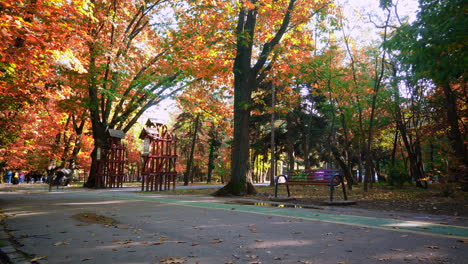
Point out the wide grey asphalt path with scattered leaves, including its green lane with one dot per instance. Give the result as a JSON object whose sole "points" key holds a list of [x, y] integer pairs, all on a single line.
{"points": [[160, 228]]}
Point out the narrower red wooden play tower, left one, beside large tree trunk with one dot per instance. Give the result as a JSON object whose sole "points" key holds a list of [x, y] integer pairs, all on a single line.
{"points": [[111, 161]]}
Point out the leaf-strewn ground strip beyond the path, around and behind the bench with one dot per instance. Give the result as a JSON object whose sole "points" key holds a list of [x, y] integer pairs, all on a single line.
{"points": [[437, 199]]}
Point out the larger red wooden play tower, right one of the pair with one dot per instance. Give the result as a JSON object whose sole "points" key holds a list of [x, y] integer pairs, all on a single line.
{"points": [[159, 157]]}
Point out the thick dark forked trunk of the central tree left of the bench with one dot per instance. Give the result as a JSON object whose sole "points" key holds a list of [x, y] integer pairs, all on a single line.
{"points": [[245, 81]]}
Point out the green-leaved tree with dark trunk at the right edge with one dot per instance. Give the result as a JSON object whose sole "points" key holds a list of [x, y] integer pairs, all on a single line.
{"points": [[432, 48]]}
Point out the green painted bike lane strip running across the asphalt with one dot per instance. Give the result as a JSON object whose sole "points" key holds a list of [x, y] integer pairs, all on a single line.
{"points": [[424, 228]]}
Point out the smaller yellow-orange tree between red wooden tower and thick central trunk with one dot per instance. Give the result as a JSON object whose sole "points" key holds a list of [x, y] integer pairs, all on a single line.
{"points": [[202, 126]]}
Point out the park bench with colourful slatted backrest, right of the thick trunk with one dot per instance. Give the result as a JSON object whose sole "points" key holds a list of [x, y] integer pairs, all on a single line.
{"points": [[328, 177]]}
